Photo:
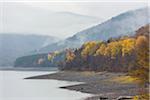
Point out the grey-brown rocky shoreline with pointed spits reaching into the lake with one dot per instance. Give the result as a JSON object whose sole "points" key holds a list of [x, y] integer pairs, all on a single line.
{"points": [[98, 83]]}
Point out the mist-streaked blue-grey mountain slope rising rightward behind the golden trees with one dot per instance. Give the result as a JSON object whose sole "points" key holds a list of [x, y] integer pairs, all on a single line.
{"points": [[123, 24]]}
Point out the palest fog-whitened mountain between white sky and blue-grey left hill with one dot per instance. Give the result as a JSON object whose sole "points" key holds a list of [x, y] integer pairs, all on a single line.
{"points": [[20, 18]]}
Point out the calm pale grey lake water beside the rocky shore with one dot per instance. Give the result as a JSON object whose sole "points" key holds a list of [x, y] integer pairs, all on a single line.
{"points": [[14, 87]]}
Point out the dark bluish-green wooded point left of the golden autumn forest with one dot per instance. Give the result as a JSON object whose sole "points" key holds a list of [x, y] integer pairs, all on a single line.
{"points": [[40, 60]]}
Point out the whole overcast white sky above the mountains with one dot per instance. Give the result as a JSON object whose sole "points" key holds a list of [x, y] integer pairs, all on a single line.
{"points": [[103, 9]]}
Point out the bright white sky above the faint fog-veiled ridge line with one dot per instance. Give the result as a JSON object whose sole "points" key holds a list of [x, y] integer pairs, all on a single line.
{"points": [[102, 10]]}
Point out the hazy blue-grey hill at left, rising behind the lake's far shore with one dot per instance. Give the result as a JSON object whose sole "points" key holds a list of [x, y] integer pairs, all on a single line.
{"points": [[14, 45]]}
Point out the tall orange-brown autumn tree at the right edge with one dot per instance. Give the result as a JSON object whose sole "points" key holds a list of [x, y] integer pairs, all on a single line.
{"points": [[142, 50]]}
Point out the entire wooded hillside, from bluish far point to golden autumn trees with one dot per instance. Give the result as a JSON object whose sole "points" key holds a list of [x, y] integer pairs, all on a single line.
{"points": [[120, 54]]}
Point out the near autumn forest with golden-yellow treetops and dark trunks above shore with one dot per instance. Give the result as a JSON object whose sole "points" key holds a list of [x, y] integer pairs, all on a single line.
{"points": [[118, 54]]}
